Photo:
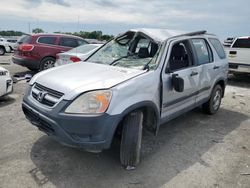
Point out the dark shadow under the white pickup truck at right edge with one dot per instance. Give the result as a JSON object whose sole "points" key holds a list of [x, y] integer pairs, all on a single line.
{"points": [[239, 80]]}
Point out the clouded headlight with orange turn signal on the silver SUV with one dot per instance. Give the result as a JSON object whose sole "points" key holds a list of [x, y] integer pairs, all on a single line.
{"points": [[91, 102]]}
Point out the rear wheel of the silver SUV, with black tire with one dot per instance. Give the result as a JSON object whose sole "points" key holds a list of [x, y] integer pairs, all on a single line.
{"points": [[213, 105]]}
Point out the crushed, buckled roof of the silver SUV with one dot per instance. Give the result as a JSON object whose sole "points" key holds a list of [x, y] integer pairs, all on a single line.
{"points": [[160, 35]]}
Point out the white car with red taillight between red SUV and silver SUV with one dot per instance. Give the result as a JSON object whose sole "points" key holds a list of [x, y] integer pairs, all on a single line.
{"points": [[77, 54]]}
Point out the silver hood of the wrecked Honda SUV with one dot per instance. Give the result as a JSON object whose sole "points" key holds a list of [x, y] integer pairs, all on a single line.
{"points": [[74, 79]]}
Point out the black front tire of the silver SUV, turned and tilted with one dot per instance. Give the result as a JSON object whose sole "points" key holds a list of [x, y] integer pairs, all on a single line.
{"points": [[131, 140]]}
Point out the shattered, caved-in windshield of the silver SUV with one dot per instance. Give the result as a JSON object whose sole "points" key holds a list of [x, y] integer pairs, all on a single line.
{"points": [[130, 50]]}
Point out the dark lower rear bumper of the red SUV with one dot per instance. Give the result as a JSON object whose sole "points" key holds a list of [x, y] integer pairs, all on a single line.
{"points": [[26, 62]]}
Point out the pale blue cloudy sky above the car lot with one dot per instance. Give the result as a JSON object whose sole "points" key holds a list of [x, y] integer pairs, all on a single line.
{"points": [[221, 17]]}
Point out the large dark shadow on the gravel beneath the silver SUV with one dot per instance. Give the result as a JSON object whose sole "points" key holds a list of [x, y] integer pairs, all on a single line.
{"points": [[179, 145]]}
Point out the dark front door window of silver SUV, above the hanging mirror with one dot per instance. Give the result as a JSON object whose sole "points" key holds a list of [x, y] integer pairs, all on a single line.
{"points": [[180, 57]]}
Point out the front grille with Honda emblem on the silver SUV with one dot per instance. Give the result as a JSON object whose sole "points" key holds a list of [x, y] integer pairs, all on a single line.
{"points": [[46, 96]]}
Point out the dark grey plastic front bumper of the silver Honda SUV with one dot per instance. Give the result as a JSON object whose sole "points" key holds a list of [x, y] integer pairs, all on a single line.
{"points": [[92, 132]]}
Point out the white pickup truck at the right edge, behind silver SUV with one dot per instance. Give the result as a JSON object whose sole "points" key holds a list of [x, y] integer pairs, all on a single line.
{"points": [[239, 55]]}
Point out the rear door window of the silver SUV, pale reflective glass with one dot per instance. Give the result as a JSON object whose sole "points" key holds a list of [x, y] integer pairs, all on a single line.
{"points": [[203, 51]]}
